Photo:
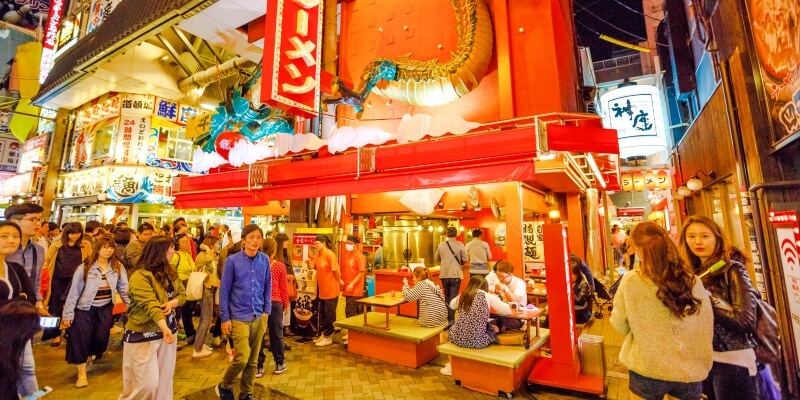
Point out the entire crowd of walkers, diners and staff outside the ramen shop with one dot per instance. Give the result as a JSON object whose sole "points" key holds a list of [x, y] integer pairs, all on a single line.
{"points": [[689, 304]]}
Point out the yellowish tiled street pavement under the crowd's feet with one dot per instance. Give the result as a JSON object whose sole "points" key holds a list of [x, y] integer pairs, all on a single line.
{"points": [[314, 373]]}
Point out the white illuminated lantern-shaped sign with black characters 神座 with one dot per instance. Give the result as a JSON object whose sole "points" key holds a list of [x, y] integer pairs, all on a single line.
{"points": [[637, 113]]}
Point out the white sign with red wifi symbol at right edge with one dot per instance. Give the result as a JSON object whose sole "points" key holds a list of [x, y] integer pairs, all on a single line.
{"points": [[788, 238]]}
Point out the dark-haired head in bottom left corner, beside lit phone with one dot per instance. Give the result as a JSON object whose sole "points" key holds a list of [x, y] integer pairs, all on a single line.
{"points": [[19, 321]]}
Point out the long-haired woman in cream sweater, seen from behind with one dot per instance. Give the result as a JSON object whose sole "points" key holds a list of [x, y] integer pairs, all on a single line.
{"points": [[666, 315]]}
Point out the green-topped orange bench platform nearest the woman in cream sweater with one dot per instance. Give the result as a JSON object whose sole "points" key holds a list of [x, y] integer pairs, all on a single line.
{"points": [[496, 369]]}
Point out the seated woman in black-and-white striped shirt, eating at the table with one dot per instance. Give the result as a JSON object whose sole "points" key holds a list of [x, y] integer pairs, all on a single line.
{"points": [[432, 309]]}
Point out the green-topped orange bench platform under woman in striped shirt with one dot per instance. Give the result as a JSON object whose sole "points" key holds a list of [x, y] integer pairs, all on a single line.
{"points": [[405, 343]]}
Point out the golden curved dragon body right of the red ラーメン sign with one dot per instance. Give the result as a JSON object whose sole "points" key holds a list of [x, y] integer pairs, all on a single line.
{"points": [[429, 83]]}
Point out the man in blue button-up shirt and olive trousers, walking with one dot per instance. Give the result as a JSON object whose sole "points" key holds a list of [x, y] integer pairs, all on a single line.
{"points": [[244, 302]]}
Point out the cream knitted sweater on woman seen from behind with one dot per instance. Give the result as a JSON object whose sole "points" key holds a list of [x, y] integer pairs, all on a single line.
{"points": [[657, 344]]}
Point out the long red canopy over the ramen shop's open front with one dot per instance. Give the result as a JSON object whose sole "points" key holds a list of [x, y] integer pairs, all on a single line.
{"points": [[494, 155]]}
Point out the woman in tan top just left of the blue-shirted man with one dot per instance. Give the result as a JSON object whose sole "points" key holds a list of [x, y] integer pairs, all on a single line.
{"points": [[207, 263]]}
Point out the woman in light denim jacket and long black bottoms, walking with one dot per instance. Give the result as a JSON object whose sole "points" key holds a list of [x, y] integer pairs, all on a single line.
{"points": [[89, 306]]}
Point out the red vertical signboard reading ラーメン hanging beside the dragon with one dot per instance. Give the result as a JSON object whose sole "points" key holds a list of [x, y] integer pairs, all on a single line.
{"points": [[292, 56]]}
